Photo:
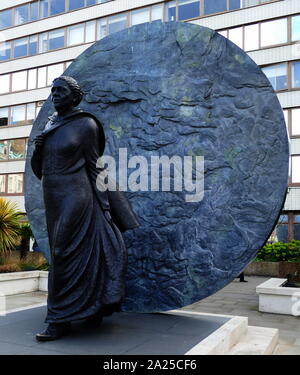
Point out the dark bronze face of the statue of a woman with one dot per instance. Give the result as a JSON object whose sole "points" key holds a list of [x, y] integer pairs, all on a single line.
{"points": [[61, 95]]}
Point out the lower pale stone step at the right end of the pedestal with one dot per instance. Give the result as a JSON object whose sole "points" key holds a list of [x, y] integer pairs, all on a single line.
{"points": [[256, 341]]}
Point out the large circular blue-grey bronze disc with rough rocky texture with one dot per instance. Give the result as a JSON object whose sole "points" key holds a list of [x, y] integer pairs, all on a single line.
{"points": [[181, 89]]}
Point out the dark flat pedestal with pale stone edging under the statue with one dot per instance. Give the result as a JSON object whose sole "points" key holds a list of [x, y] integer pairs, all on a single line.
{"points": [[173, 333]]}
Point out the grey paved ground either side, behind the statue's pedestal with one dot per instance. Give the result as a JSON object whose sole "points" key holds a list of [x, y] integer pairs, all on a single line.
{"points": [[235, 299]]}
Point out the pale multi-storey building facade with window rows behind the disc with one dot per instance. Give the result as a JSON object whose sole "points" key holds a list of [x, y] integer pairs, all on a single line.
{"points": [[39, 39]]}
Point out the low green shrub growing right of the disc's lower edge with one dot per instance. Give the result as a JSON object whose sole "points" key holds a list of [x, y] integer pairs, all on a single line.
{"points": [[280, 251]]}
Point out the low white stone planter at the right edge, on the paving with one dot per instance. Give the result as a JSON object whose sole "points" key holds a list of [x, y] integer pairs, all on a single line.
{"points": [[275, 298]]}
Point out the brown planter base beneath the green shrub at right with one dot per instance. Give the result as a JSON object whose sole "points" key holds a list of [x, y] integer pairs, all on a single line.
{"points": [[274, 269]]}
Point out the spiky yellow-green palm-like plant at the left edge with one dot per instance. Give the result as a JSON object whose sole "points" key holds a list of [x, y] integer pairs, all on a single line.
{"points": [[9, 225]]}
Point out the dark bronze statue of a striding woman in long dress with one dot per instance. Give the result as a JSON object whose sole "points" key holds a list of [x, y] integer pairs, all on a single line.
{"points": [[88, 254]]}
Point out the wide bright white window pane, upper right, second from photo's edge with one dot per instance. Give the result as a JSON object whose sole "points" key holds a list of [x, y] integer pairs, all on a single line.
{"points": [[274, 32]]}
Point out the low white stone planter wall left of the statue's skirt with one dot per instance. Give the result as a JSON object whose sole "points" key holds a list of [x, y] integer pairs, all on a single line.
{"points": [[23, 282]]}
